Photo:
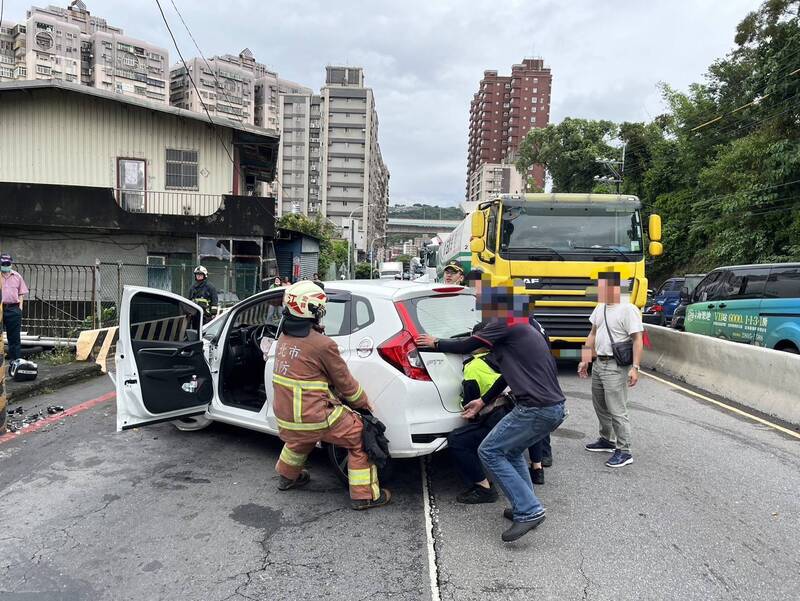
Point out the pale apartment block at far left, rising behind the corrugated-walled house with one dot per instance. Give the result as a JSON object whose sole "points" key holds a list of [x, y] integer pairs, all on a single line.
{"points": [[70, 44]]}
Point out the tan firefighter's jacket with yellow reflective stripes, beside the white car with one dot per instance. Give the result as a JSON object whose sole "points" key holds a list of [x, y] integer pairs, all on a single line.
{"points": [[310, 378]]}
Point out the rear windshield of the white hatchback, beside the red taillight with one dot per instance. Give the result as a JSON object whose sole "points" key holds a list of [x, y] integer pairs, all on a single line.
{"points": [[444, 316]]}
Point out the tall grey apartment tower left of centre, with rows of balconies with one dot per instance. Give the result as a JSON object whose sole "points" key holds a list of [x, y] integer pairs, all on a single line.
{"points": [[330, 160]]}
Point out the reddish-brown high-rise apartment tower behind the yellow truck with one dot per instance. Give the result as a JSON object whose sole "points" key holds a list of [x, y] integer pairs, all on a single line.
{"points": [[502, 111]]}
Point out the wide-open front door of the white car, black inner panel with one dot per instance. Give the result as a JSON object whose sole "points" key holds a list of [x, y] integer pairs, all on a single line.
{"points": [[162, 371]]}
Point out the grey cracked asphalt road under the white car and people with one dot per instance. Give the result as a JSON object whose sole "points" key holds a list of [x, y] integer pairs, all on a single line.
{"points": [[709, 510]]}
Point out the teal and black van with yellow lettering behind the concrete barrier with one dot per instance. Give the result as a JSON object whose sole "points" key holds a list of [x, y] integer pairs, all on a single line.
{"points": [[753, 304]]}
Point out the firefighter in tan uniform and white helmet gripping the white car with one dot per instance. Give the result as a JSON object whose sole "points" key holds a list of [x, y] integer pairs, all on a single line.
{"points": [[311, 381]]}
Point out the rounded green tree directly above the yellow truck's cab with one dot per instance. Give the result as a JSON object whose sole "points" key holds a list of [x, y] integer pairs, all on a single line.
{"points": [[569, 152]]}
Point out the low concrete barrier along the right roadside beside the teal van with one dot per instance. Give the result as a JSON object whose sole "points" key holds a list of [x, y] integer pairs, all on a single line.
{"points": [[759, 378]]}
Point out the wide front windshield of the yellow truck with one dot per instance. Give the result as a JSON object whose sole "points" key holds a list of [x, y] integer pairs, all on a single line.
{"points": [[581, 232]]}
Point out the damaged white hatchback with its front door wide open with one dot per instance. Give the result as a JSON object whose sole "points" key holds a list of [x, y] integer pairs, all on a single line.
{"points": [[167, 371]]}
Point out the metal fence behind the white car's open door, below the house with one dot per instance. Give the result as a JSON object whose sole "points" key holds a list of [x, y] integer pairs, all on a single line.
{"points": [[65, 299]]}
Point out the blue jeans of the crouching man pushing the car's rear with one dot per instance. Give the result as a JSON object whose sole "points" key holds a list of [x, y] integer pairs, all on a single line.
{"points": [[501, 453]]}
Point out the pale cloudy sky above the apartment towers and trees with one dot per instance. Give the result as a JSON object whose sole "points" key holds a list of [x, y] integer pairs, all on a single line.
{"points": [[424, 59]]}
